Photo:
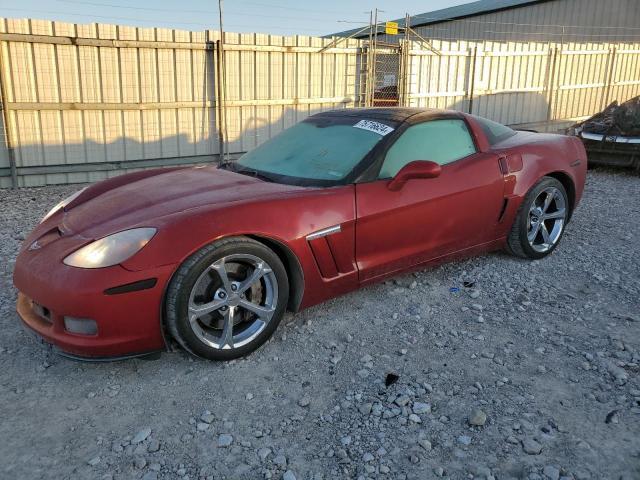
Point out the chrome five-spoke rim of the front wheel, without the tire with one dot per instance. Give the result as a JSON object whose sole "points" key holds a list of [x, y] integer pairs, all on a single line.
{"points": [[232, 301]]}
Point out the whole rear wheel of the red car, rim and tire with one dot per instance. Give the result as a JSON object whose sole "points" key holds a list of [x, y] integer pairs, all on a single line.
{"points": [[541, 220]]}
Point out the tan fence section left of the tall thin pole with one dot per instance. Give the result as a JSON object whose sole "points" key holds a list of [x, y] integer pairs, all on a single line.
{"points": [[79, 112]]}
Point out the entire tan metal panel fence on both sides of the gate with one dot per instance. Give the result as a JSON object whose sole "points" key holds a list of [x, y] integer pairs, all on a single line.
{"points": [[85, 102]]}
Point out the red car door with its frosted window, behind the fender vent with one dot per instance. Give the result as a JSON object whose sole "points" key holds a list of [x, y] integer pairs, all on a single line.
{"points": [[428, 218]]}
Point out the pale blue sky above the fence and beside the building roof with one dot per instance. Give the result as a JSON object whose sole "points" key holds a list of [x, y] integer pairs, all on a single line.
{"points": [[280, 17]]}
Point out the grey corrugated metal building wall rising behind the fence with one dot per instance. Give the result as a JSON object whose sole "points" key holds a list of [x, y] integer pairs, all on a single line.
{"points": [[552, 21]]}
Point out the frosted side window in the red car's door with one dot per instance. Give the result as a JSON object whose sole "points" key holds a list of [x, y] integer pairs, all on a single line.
{"points": [[441, 141]]}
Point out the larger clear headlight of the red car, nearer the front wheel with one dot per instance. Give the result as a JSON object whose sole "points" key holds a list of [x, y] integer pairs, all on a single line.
{"points": [[111, 250]]}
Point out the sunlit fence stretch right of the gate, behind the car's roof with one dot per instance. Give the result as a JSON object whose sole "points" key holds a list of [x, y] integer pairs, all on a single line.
{"points": [[536, 85]]}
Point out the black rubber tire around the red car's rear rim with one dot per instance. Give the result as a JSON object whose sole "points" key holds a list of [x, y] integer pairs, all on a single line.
{"points": [[517, 241]]}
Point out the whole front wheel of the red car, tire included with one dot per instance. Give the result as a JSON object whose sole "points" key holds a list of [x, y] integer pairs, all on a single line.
{"points": [[227, 299]]}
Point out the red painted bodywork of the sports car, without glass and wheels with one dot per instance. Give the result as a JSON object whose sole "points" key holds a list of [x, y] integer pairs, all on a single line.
{"points": [[466, 210]]}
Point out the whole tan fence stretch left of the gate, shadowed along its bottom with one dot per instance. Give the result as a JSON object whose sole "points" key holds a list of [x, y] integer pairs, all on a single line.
{"points": [[86, 102]]}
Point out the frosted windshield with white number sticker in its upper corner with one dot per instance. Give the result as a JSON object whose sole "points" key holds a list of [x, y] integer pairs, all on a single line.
{"points": [[317, 151]]}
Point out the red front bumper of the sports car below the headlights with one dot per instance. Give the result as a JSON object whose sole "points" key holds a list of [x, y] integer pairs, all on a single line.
{"points": [[128, 324]]}
